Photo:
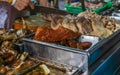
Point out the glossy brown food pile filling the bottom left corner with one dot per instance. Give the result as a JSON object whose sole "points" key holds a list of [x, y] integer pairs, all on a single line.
{"points": [[12, 62]]}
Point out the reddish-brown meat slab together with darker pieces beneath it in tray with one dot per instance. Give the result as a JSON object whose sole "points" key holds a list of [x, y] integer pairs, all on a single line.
{"points": [[62, 36]]}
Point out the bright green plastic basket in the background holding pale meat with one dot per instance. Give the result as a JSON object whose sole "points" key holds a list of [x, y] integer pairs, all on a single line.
{"points": [[77, 10]]}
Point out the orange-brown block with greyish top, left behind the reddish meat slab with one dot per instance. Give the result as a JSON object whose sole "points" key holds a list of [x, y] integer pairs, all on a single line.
{"points": [[33, 22]]}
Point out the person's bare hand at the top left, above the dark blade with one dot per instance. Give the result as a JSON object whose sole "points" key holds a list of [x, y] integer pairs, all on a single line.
{"points": [[22, 4]]}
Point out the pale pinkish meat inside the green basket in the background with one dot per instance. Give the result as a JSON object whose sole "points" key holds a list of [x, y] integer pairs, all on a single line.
{"points": [[89, 5]]}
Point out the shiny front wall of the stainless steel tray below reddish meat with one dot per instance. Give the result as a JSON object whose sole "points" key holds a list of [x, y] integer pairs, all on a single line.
{"points": [[59, 54]]}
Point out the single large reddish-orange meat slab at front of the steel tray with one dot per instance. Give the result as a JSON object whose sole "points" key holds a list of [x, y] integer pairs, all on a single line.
{"points": [[47, 34]]}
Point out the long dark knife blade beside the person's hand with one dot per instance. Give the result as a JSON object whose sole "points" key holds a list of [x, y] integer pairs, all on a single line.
{"points": [[48, 10]]}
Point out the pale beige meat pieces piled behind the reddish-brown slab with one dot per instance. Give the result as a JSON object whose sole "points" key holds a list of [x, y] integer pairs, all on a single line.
{"points": [[87, 23]]}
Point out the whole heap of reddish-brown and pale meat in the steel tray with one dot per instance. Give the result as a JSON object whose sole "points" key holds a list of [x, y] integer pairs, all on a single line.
{"points": [[66, 30]]}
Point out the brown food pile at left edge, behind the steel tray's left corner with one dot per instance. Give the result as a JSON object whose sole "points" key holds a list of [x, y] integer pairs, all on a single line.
{"points": [[15, 35]]}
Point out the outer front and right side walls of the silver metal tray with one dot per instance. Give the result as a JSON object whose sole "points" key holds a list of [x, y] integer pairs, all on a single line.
{"points": [[71, 56]]}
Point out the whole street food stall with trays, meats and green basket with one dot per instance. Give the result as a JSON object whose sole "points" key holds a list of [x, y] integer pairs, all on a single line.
{"points": [[68, 43]]}
